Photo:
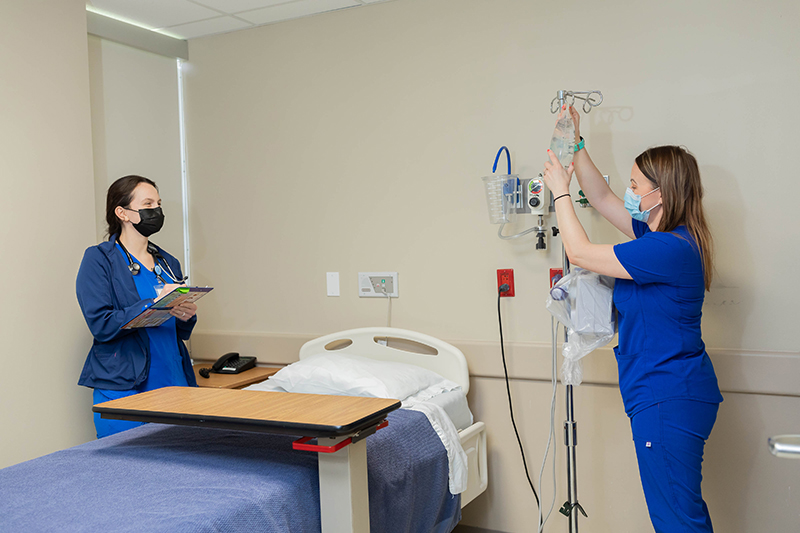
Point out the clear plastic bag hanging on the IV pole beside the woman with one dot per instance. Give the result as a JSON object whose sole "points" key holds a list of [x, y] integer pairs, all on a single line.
{"points": [[583, 301]]}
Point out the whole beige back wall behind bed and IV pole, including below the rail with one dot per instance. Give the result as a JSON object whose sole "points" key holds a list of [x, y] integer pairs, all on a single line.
{"points": [[354, 141]]}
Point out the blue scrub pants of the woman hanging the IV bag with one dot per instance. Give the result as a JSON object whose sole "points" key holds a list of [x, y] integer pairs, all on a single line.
{"points": [[669, 438]]}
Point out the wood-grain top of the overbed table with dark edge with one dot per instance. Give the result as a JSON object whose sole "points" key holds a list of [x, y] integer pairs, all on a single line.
{"points": [[310, 415]]}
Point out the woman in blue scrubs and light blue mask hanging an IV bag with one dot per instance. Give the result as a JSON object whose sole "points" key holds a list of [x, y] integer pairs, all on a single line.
{"points": [[666, 378]]}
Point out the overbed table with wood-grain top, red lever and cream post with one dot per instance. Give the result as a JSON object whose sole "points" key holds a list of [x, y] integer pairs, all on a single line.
{"points": [[340, 424]]}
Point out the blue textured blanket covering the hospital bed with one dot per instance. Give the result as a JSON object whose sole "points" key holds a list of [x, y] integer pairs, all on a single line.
{"points": [[186, 479]]}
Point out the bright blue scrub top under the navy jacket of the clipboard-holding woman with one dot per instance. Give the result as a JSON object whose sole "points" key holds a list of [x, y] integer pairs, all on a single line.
{"points": [[166, 365]]}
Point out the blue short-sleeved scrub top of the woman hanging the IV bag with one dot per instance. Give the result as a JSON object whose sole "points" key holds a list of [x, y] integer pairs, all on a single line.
{"points": [[661, 355]]}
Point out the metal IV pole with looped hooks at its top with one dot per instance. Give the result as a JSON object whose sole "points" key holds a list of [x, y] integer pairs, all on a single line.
{"points": [[570, 426]]}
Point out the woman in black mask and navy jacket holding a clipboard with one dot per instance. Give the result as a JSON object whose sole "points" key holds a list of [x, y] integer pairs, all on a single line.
{"points": [[117, 280]]}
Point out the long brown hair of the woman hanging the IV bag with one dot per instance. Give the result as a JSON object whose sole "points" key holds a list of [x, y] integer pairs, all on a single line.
{"points": [[674, 169]]}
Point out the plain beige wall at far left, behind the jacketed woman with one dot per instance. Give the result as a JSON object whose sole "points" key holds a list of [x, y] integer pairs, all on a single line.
{"points": [[46, 222]]}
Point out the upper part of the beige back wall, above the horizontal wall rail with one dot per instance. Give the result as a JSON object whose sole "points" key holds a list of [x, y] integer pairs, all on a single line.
{"points": [[355, 141]]}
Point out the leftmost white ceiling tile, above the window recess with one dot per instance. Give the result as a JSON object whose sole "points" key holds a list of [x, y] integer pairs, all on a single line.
{"points": [[153, 13]]}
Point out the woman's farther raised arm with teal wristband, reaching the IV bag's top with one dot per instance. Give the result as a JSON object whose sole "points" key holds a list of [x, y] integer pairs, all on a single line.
{"points": [[596, 189]]}
